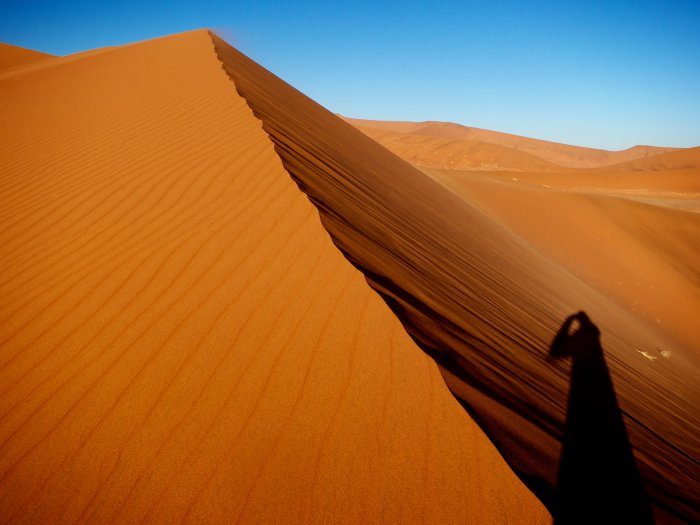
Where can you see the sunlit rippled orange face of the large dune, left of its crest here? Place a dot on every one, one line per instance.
(180, 339)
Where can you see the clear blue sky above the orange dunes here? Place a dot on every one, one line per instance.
(606, 74)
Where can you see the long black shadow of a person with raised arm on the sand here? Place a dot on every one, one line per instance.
(598, 481)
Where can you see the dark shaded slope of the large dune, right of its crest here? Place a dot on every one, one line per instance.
(483, 302)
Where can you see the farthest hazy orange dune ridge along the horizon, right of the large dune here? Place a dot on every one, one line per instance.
(552, 152)
